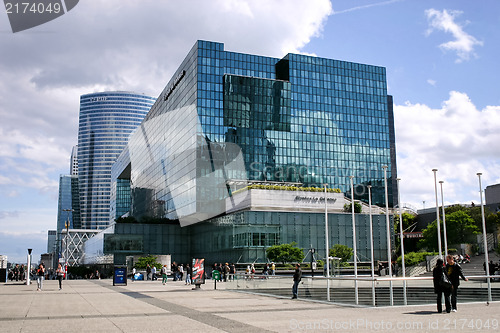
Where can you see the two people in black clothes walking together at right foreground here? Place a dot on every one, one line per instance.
(446, 280)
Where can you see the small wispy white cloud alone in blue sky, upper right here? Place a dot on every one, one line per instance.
(463, 43)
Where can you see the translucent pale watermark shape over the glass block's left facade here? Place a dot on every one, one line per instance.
(183, 177)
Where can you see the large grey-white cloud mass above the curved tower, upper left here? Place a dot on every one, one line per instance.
(120, 45)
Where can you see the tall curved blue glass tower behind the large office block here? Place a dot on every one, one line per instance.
(106, 121)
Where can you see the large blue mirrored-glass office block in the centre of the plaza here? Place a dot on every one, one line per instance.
(226, 120)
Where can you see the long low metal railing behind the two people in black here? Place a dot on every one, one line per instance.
(365, 290)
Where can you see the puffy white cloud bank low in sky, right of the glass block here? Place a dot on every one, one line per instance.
(457, 139)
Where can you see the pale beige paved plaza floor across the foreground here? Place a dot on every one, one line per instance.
(147, 306)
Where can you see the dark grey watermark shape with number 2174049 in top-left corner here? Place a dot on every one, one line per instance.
(26, 14)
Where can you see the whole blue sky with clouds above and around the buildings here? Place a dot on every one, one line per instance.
(440, 57)
